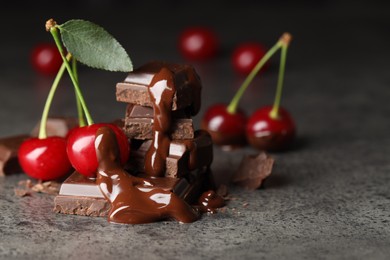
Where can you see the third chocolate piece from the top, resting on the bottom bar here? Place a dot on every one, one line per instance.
(184, 155)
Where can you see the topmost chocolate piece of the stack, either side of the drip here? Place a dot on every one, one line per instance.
(134, 89)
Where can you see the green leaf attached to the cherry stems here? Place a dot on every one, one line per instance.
(95, 47)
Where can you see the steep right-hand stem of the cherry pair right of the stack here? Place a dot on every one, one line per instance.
(274, 114)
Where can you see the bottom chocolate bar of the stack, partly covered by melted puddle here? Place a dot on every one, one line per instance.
(81, 196)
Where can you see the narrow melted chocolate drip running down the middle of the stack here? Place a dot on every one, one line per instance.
(161, 91)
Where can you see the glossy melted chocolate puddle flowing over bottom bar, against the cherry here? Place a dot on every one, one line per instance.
(134, 200)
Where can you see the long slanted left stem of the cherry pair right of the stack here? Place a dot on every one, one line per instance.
(236, 99)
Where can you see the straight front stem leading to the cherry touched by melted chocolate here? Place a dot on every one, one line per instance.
(54, 33)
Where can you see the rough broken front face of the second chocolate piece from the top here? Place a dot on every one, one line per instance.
(142, 128)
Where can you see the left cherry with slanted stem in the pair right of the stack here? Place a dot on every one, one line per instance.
(227, 124)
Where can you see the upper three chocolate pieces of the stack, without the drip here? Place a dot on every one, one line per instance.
(139, 119)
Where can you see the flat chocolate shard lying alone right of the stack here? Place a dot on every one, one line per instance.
(253, 170)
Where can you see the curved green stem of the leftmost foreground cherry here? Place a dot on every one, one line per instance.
(42, 128)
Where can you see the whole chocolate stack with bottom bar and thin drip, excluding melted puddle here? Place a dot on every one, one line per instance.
(187, 156)
